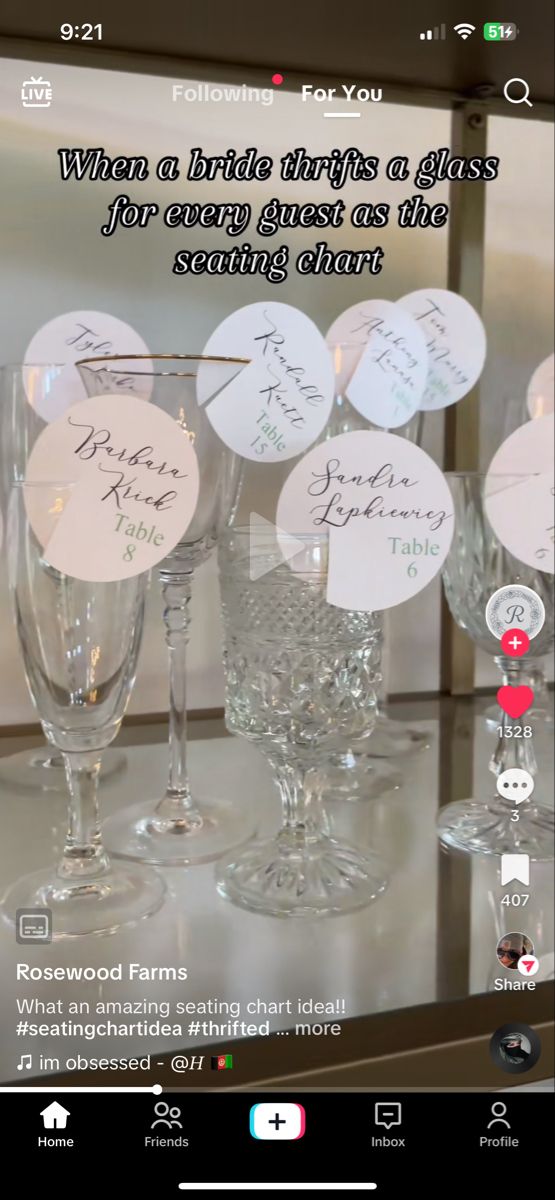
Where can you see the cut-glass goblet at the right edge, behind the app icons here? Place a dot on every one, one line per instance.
(476, 567)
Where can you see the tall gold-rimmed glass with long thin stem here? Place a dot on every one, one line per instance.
(177, 829)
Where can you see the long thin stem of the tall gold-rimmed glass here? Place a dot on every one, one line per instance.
(177, 803)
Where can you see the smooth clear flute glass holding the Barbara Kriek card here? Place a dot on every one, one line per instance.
(80, 644)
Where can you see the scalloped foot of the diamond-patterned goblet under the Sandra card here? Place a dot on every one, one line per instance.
(320, 879)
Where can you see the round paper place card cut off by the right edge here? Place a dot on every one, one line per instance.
(520, 494)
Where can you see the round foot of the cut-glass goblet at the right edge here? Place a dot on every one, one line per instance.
(488, 830)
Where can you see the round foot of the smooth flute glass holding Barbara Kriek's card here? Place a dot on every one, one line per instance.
(123, 896)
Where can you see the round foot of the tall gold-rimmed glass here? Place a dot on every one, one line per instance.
(144, 836)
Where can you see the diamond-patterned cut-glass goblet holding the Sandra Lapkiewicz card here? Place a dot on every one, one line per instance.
(300, 683)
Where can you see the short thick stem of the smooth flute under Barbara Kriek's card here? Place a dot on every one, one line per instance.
(83, 853)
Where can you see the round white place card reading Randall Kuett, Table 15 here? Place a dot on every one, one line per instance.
(281, 404)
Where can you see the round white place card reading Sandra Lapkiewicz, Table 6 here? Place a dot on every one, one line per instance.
(387, 511)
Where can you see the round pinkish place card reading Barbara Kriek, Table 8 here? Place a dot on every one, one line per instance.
(134, 488)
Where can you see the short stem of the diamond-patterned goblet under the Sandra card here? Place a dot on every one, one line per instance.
(301, 790)
